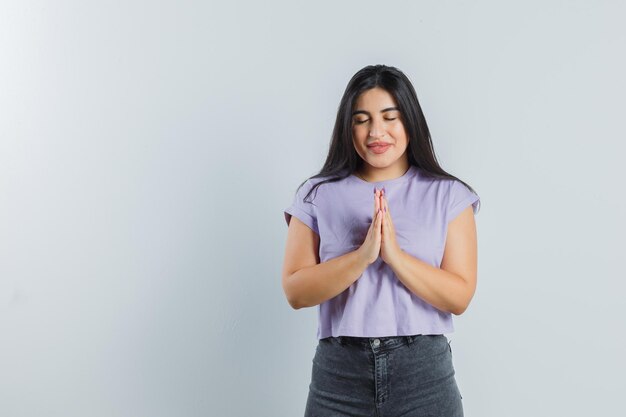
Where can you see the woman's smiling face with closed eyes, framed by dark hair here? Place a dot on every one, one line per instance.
(376, 119)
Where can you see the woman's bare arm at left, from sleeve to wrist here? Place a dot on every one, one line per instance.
(307, 282)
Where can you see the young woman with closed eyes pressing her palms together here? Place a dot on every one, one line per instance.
(383, 241)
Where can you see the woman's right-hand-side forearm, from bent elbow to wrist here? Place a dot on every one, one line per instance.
(442, 289)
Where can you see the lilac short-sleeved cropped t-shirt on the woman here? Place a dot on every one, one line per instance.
(377, 304)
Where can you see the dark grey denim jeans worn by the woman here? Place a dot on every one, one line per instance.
(383, 377)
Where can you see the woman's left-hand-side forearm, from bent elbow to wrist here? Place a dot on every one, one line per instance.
(311, 286)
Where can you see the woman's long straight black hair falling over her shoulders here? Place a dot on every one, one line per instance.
(342, 159)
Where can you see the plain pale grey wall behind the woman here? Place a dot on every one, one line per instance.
(147, 150)
